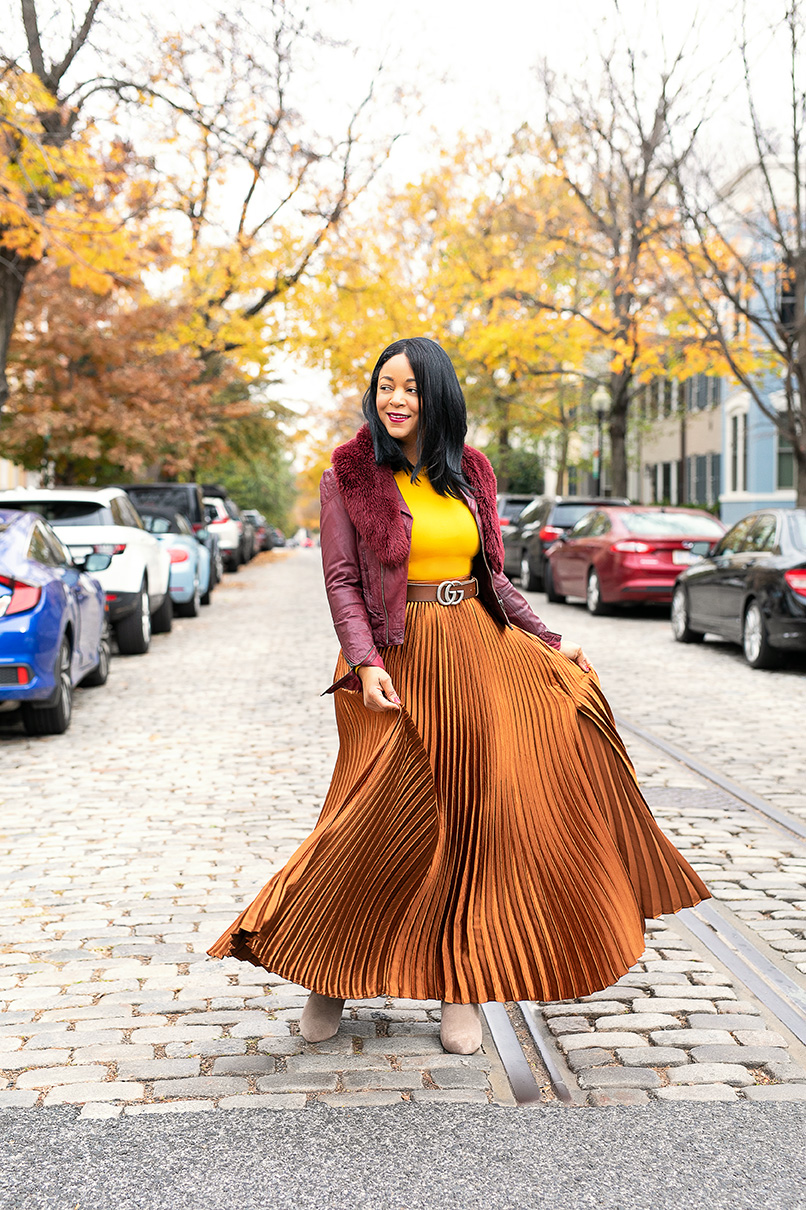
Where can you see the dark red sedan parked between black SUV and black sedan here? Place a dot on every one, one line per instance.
(627, 555)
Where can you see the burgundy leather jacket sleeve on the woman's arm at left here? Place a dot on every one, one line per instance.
(342, 571)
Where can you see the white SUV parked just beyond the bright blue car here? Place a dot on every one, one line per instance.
(105, 521)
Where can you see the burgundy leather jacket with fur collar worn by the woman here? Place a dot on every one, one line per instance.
(366, 538)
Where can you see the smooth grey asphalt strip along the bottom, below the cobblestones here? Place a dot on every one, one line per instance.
(410, 1159)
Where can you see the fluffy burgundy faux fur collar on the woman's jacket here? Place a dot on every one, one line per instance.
(375, 503)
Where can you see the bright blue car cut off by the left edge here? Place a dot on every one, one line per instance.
(54, 632)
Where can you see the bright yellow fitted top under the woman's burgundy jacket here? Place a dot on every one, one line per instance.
(445, 535)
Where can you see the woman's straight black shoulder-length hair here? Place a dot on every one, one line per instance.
(442, 423)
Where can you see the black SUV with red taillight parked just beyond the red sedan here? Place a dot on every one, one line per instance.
(538, 527)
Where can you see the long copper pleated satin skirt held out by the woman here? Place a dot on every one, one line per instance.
(487, 843)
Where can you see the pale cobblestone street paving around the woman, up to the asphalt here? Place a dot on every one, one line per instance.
(130, 844)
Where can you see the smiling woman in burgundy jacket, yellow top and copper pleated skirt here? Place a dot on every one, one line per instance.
(483, 838)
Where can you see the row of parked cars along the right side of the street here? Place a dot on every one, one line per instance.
(747, 585)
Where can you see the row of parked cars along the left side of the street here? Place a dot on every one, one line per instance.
(80, 566)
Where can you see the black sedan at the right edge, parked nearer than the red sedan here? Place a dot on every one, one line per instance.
(750, 589)
